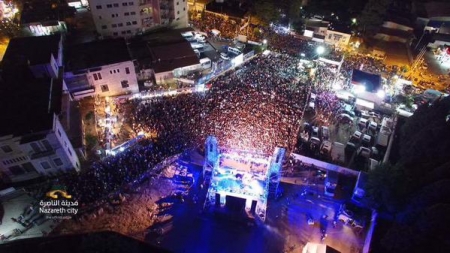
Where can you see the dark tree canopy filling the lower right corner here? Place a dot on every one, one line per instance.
(415, 191)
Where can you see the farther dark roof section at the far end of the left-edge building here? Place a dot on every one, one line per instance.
(31, 50)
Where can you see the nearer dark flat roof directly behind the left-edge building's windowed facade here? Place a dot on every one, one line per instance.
(28, 104)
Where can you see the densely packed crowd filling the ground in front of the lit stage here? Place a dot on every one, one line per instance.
(257, 107)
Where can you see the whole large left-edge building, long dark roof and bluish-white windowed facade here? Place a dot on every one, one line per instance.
(33, 142)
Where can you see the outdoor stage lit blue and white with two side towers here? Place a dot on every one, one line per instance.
(240, 181)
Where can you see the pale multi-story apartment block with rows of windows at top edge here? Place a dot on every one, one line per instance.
(126, 18)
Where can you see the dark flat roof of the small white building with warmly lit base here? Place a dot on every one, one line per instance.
(96, 54)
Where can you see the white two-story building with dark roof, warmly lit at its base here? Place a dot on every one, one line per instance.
(102, 68)
